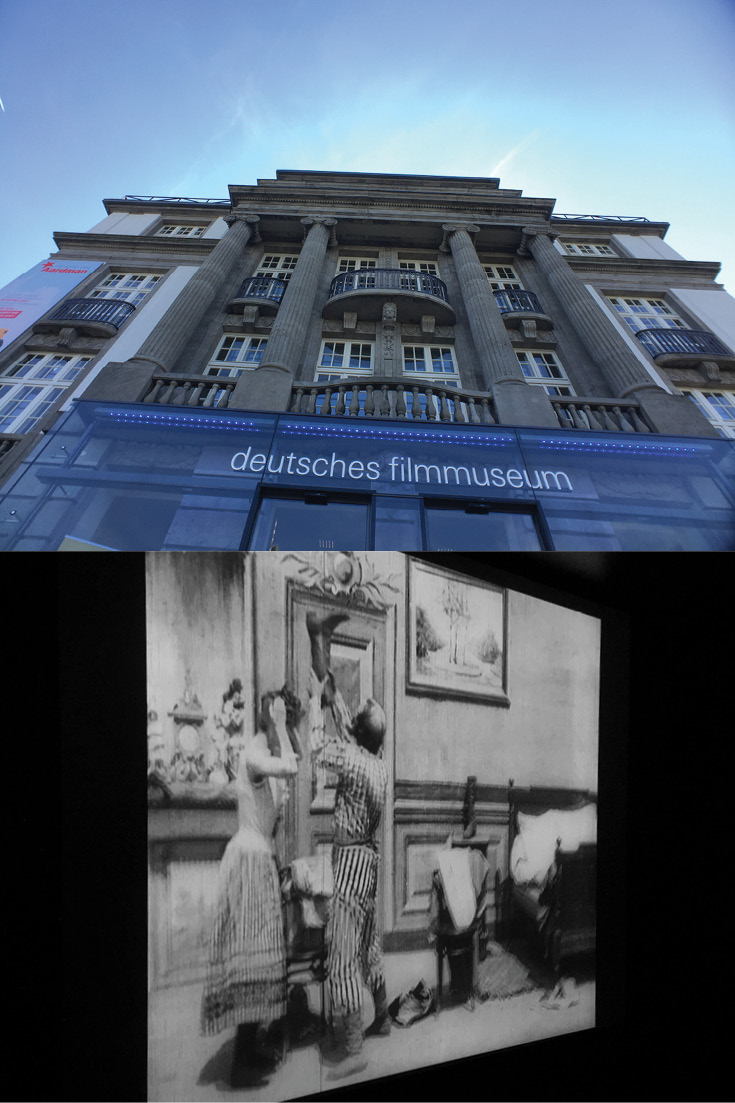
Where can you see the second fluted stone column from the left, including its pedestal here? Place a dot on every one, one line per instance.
(269, 387)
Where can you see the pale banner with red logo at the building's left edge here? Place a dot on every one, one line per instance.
(30, 296)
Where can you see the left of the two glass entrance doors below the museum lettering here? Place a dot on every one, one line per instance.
(312, 523)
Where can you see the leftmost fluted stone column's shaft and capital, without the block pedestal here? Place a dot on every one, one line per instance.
(165, 345)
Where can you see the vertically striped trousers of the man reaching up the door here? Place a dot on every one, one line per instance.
(356, 951)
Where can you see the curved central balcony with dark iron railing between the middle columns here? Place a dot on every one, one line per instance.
(367, 291)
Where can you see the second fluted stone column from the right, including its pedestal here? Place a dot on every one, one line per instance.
(517, 403)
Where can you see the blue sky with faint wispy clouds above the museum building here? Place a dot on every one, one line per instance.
(624, 109)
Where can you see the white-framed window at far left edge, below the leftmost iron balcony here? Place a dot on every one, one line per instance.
(33, 385)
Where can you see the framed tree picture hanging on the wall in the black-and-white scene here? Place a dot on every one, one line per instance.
(456, 636)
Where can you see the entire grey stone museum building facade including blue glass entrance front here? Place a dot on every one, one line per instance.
(372, 361)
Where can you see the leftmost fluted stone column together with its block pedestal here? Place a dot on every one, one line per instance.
(129, 382)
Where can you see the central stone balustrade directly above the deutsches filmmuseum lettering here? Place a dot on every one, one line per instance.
(395, 400)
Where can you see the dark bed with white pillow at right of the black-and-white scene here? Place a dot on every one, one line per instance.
(549, 895)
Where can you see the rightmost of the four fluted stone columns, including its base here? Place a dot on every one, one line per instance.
(627, 377)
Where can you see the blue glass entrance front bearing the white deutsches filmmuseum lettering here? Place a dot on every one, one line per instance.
(134, 477)
